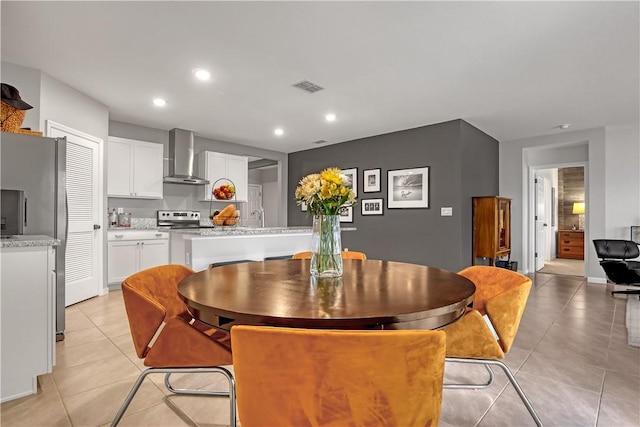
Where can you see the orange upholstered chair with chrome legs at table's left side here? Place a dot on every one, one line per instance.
(167, 337)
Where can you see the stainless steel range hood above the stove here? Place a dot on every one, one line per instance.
(182, 159)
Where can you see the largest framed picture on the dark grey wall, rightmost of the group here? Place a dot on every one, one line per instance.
(408, 188)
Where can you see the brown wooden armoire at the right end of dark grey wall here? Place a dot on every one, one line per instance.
(491, 228)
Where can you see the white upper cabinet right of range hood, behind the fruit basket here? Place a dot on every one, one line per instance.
(213, 166)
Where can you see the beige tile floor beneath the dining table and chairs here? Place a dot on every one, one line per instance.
(570, 356)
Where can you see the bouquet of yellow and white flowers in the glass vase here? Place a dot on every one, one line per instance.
(325, 193)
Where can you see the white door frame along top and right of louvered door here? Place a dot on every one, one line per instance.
(100, 220)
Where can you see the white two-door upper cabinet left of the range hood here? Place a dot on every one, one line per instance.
(134, 169)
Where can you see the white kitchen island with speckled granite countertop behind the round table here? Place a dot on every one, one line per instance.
(197, 249)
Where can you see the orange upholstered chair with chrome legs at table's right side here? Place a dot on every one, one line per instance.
(501, 295)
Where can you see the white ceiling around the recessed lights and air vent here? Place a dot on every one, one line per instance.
(512, 69)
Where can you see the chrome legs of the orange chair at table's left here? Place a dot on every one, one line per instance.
(168, 371)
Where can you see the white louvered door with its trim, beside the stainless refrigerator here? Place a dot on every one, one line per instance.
(84, 239)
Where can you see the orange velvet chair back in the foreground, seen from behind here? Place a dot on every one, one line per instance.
(337, 378)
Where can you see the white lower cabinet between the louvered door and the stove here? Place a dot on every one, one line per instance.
(133, 251)
